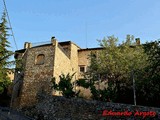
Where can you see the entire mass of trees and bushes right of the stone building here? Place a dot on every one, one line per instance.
(115, 64)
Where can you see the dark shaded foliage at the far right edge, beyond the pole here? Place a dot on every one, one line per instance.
(149, 85)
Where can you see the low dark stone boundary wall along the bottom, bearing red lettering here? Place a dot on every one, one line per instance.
(61, 108)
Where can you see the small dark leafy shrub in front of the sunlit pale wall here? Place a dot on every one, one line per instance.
(65, 86)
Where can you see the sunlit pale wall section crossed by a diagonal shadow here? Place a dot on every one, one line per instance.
(65, 63)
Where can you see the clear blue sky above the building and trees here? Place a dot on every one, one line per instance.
(82, 21)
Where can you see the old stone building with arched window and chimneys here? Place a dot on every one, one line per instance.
(40, 63)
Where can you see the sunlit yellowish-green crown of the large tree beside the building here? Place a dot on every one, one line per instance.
(120, 60)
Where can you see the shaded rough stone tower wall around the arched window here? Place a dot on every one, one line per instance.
(36, 76)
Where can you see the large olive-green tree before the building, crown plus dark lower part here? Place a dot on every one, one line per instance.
(115, 64)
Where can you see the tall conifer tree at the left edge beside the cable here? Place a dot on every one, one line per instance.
(5, 54)
